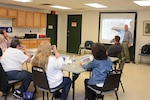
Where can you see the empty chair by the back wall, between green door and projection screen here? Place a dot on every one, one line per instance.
(86, 46)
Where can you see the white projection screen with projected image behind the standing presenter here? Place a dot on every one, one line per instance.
(116, 21)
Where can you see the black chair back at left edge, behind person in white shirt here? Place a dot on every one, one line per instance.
(4, 80)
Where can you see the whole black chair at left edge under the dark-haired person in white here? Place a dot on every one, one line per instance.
(5, 84)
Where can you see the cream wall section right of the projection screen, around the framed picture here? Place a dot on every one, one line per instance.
(142, 15)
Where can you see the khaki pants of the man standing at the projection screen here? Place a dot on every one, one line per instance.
(126, 51)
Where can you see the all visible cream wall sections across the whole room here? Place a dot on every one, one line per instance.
(90, 22)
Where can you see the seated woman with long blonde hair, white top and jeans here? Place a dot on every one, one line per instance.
(52, 65)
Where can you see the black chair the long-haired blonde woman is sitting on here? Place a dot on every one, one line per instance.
(40, 81)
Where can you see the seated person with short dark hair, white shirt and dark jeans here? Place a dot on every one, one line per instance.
(12, 61)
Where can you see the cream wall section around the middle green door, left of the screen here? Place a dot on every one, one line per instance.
(90, 22)
